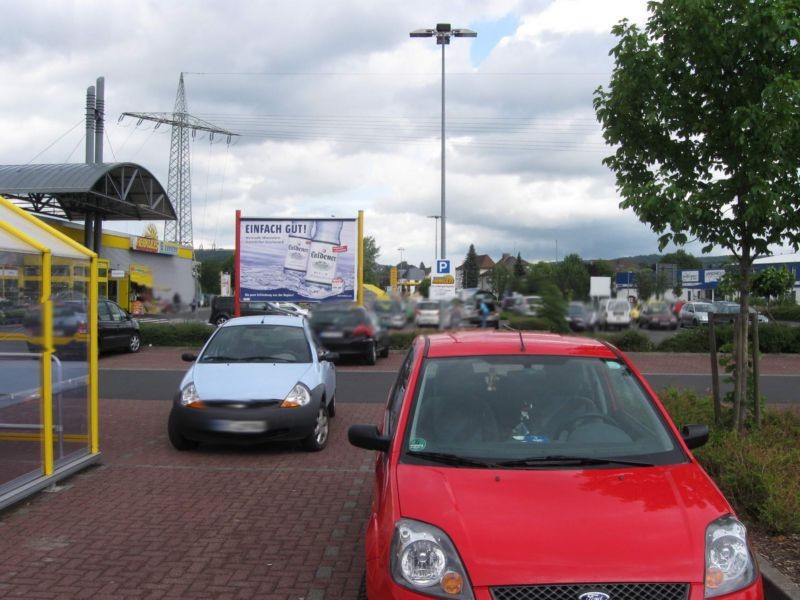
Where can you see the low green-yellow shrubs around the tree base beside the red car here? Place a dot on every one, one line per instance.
(759, 471)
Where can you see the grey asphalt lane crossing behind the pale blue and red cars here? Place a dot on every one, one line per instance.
(373, 386)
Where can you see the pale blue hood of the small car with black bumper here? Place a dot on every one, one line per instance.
(246, 381)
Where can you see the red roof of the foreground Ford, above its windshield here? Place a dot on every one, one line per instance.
(481, 343)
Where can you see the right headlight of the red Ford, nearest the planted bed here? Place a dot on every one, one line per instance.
(729, 565)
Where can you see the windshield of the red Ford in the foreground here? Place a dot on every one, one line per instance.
(506, 408)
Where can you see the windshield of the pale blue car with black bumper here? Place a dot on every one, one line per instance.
(258, 343)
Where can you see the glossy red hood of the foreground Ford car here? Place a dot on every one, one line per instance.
(545, 526)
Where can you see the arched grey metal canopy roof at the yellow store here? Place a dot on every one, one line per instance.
(115, 191)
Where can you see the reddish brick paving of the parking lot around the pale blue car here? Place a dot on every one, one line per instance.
(223, 522)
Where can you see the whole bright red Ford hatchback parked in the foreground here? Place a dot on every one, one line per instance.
(524, 466)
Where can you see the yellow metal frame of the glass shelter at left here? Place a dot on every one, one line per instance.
(47, 330)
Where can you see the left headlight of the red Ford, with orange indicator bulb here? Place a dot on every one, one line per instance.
(425, 560)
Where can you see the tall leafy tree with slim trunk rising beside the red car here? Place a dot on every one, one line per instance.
(702, 109)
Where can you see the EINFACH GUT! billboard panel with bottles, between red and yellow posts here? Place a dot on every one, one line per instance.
(298, 260)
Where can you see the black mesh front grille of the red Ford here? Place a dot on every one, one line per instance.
(614, 591)
